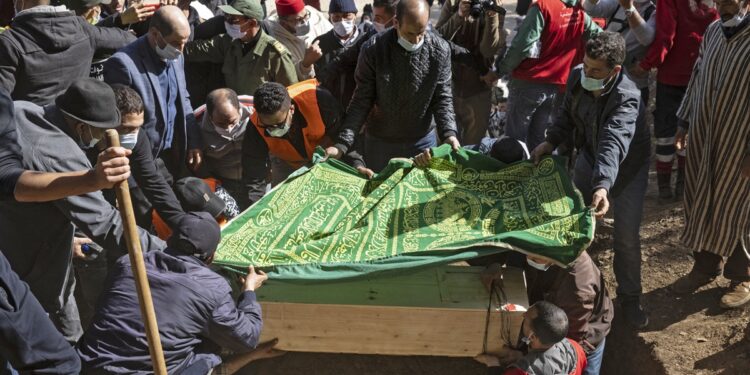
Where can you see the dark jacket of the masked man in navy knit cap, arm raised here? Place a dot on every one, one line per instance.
(340, 85)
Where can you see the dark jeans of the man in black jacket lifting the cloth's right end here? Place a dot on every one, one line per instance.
(628, 212)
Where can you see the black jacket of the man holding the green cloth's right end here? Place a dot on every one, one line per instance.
(619, 143)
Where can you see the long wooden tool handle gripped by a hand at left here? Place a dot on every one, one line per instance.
(139, 268)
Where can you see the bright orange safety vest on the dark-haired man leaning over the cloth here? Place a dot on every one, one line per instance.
(305, 99)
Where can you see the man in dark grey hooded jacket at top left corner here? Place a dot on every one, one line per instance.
(47, 48)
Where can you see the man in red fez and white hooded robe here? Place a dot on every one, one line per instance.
(296, 26)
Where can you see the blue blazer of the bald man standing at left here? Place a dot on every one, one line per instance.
(135, 65)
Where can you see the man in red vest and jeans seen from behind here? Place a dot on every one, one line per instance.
(547, 45)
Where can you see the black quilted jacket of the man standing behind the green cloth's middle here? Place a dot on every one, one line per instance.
(403, 90)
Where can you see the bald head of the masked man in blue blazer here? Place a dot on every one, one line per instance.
(169, 26)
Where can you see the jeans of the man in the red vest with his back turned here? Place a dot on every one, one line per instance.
(531, 108)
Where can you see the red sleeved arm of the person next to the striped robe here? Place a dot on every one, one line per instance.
(666, 31)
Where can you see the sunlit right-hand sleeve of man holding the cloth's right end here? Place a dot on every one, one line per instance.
(614, 140)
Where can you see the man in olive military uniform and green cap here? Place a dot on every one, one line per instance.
(248, 55)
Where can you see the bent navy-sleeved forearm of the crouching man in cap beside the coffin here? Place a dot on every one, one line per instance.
(236, 327)
